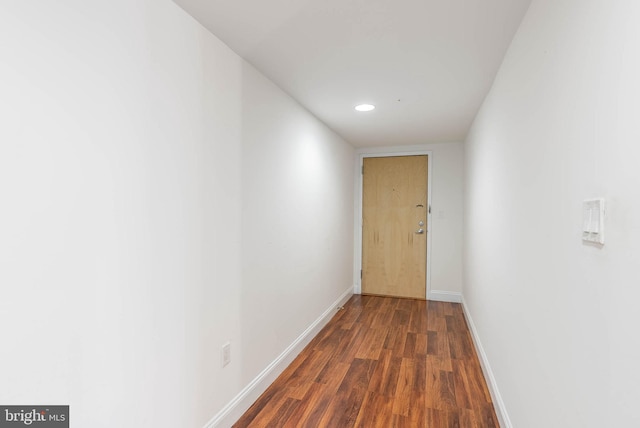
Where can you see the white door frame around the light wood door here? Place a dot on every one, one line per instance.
(384, 153)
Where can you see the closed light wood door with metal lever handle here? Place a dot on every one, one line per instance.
(394, 249)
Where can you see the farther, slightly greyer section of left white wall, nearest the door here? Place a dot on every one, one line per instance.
(297, 221)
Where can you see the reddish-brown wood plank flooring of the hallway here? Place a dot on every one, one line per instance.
(382, 362)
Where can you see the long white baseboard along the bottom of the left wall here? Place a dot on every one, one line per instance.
(241, 402)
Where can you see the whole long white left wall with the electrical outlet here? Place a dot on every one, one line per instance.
(127, 149)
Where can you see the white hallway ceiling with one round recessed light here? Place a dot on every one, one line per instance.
(426, 64)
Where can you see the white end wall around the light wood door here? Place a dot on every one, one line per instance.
(446, 215)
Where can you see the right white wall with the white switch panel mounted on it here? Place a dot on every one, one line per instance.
(557, 317)
